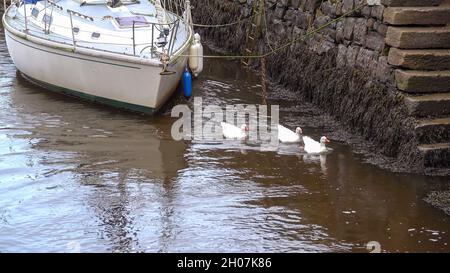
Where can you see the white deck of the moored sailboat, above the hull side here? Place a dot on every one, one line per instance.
(98, 26)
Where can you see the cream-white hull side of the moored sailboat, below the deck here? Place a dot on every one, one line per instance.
(125, 84)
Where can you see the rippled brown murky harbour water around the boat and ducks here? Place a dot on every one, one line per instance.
(77, 176)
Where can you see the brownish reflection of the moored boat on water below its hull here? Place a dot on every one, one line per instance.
(61, 124)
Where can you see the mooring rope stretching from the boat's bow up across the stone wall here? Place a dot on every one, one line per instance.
(300, 37)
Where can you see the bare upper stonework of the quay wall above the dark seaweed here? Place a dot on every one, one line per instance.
(358, 40)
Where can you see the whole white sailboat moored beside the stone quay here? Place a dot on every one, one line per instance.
(126, 53)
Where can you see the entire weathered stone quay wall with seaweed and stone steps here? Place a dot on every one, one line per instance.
(384, 71)
